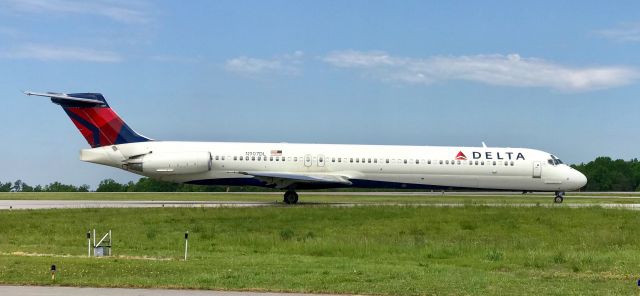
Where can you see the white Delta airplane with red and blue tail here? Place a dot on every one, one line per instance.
(291, 167)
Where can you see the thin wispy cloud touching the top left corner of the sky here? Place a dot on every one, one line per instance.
(124, 12)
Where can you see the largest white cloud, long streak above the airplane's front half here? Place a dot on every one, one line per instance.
(505, 70)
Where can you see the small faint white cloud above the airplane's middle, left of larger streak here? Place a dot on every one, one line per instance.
(284, 64)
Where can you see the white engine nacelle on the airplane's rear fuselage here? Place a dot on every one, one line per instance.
(172, 163)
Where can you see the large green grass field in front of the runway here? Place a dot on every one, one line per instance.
(363, 250)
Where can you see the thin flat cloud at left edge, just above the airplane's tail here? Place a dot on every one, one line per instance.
(53, 53)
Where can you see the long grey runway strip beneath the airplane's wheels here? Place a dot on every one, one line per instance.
(90, 204)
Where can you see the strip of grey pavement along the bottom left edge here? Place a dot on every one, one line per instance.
(71, 291)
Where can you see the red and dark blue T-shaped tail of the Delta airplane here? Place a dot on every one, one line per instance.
(95, 120)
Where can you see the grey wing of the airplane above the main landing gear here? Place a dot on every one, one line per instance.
(285, 179)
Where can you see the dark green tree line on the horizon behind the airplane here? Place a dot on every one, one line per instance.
(603, 174)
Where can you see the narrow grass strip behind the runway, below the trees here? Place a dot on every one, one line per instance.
(313, 197)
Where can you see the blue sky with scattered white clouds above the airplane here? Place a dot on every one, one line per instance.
(560, 76)
